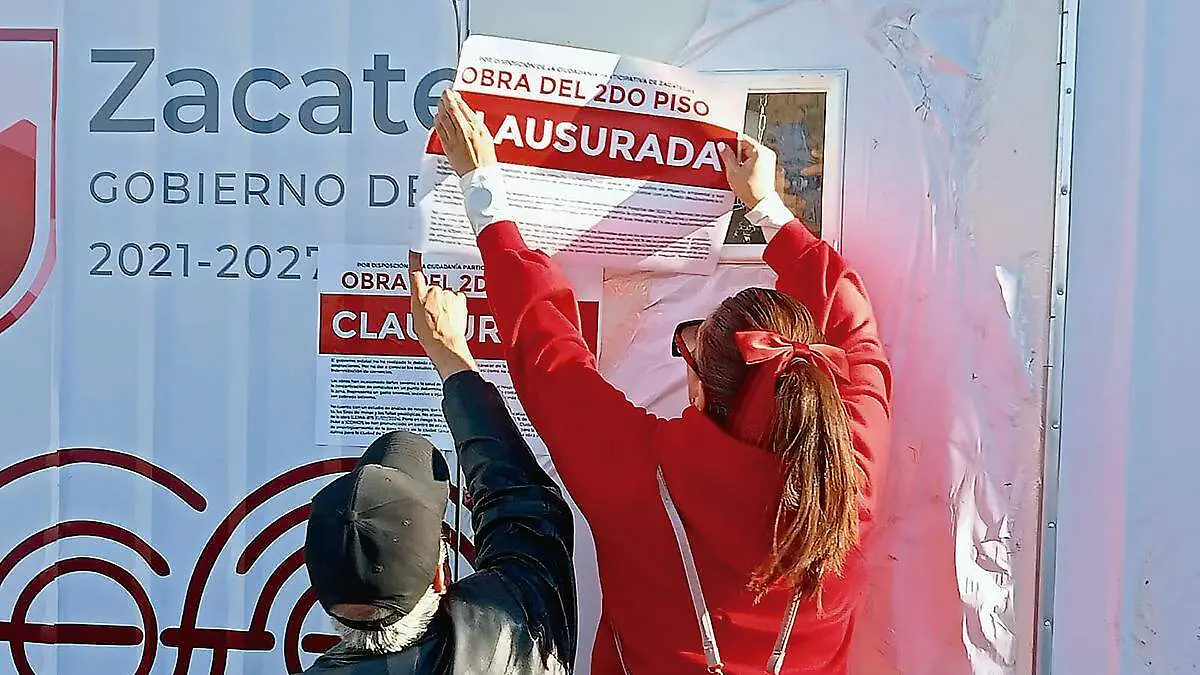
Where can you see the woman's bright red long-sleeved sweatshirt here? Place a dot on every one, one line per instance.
(608, 453)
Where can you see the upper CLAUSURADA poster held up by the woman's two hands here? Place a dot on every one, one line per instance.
(607, 159)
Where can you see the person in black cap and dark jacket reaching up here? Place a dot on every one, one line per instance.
(375, 552)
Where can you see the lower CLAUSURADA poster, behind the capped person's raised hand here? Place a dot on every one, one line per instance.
(373, 374)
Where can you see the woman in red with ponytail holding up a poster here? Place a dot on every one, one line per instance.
(731, 540)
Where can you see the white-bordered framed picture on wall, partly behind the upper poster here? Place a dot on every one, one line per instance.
(802, 116)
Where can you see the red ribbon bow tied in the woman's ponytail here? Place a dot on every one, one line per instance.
(772, 354)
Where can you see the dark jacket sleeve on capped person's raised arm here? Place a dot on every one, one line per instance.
(524, 527)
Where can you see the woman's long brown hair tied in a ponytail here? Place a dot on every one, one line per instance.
(817, 522)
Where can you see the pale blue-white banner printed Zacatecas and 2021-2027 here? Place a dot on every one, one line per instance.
(169, 177)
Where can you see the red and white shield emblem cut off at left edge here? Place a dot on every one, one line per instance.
(29, 62)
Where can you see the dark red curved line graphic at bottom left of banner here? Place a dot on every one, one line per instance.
(189, 636)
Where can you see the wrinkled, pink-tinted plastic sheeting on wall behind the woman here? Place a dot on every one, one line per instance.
(952, 571)
